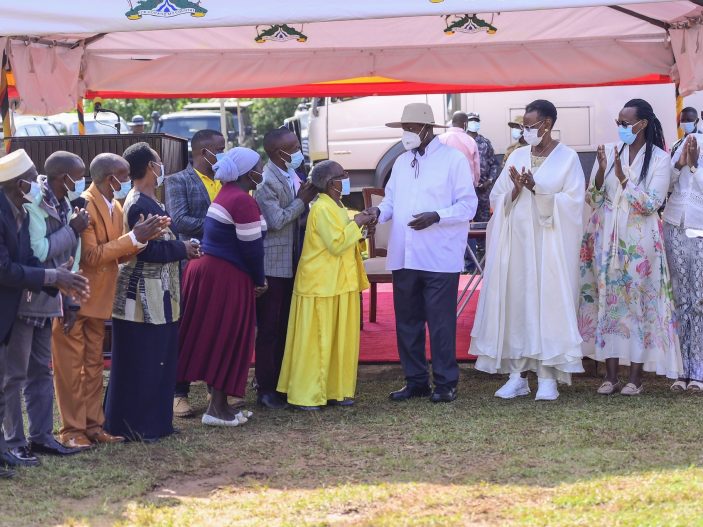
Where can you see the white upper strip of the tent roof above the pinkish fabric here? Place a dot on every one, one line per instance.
(90, 17)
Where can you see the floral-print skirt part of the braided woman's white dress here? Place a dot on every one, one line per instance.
(626, 308)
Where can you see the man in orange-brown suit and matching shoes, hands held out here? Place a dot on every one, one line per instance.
(77, 350)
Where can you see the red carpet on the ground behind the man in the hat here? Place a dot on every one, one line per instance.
(378, 342)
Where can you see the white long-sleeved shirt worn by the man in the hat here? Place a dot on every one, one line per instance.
(440, 181)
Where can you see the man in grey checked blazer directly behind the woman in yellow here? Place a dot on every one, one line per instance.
(283, 200)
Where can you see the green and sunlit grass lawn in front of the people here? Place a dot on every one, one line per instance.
(582, 460)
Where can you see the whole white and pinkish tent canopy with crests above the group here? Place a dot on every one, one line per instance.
(176, 47)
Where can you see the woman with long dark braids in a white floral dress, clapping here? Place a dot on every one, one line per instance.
(626, 305)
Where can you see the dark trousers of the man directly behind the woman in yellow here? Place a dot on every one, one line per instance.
(272, 311)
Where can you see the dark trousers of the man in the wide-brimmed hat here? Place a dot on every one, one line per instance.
(424, 298)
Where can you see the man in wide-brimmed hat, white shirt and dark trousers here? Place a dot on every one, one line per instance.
(430, 197)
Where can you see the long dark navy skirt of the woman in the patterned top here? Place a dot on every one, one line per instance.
(139, 399)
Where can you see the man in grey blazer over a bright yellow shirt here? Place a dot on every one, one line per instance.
(188, 196)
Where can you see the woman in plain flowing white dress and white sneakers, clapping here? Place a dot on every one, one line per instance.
(526, 318)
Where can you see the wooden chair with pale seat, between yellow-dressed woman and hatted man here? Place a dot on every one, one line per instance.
(378, 250)
